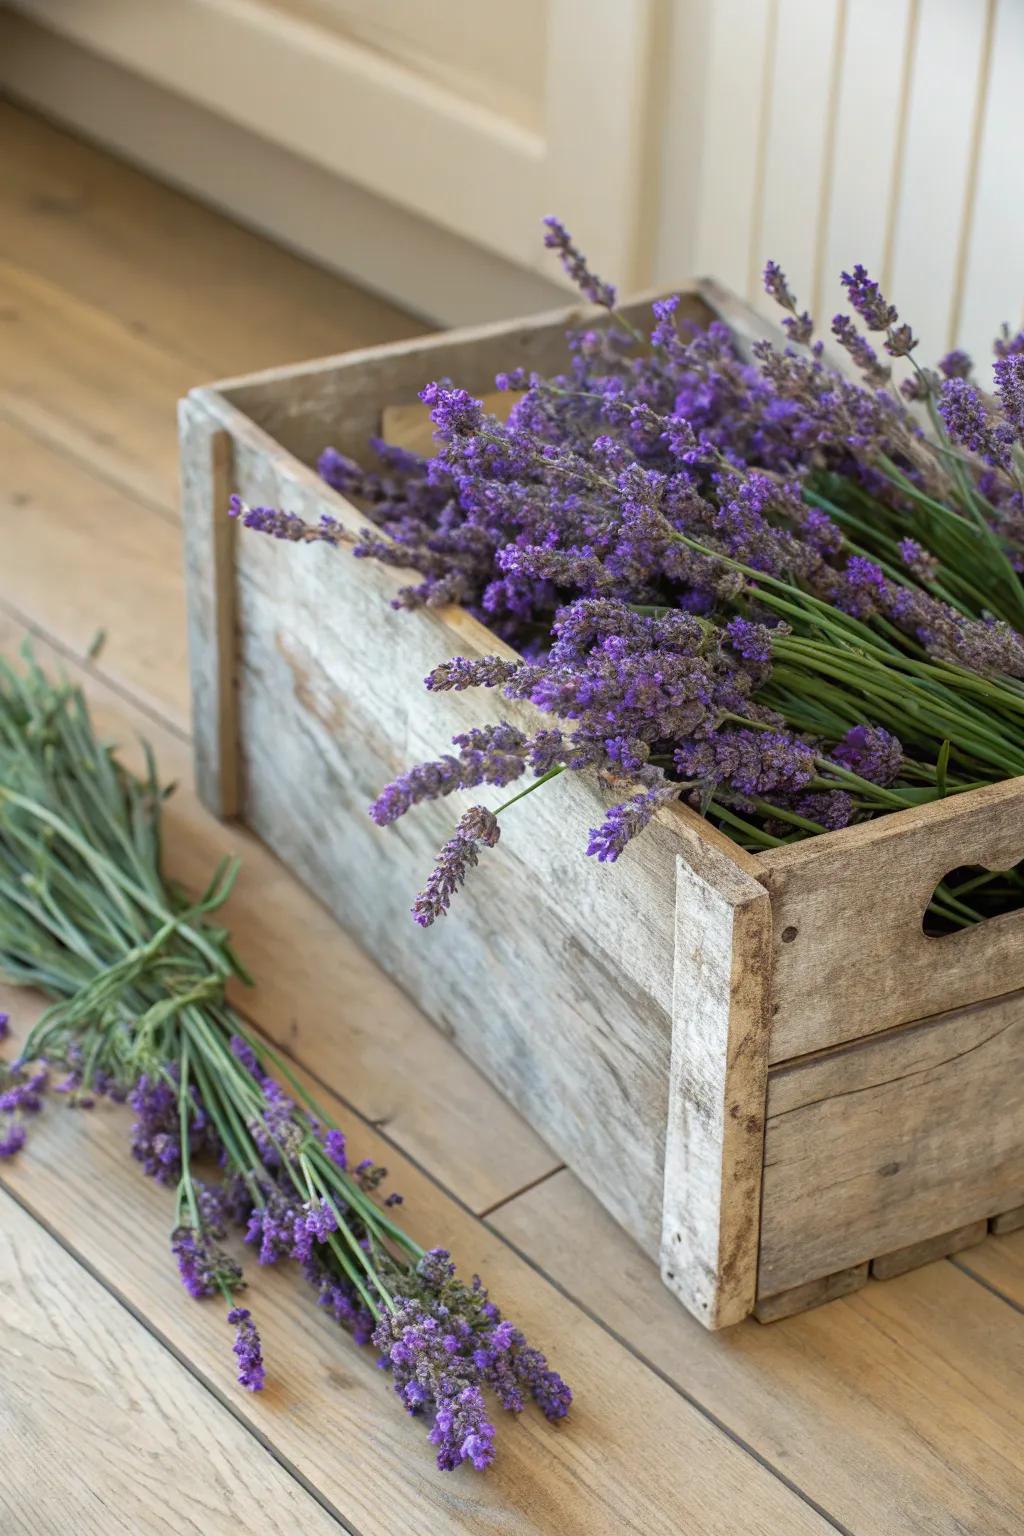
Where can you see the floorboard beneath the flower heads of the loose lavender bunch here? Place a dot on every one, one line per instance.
(329, 1411)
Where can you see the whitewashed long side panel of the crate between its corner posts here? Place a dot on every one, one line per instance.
(552, 972)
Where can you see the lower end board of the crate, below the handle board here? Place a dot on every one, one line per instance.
(891, 1140)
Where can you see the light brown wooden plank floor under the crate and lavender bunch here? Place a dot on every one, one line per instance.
(896, 1411)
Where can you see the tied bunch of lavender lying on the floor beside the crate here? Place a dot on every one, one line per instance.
(139, 972)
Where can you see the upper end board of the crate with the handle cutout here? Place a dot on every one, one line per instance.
(854, 959)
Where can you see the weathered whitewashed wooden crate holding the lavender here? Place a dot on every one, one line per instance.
(761, 1065)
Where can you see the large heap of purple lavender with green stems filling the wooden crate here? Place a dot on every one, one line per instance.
(784, 592)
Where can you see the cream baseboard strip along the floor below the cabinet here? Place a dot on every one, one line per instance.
(326, 219)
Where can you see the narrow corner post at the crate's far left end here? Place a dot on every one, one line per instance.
(210, 558)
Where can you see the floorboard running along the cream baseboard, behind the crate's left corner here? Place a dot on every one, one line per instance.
(176, 273)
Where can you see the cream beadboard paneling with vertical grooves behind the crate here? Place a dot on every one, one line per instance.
(877, 131)
